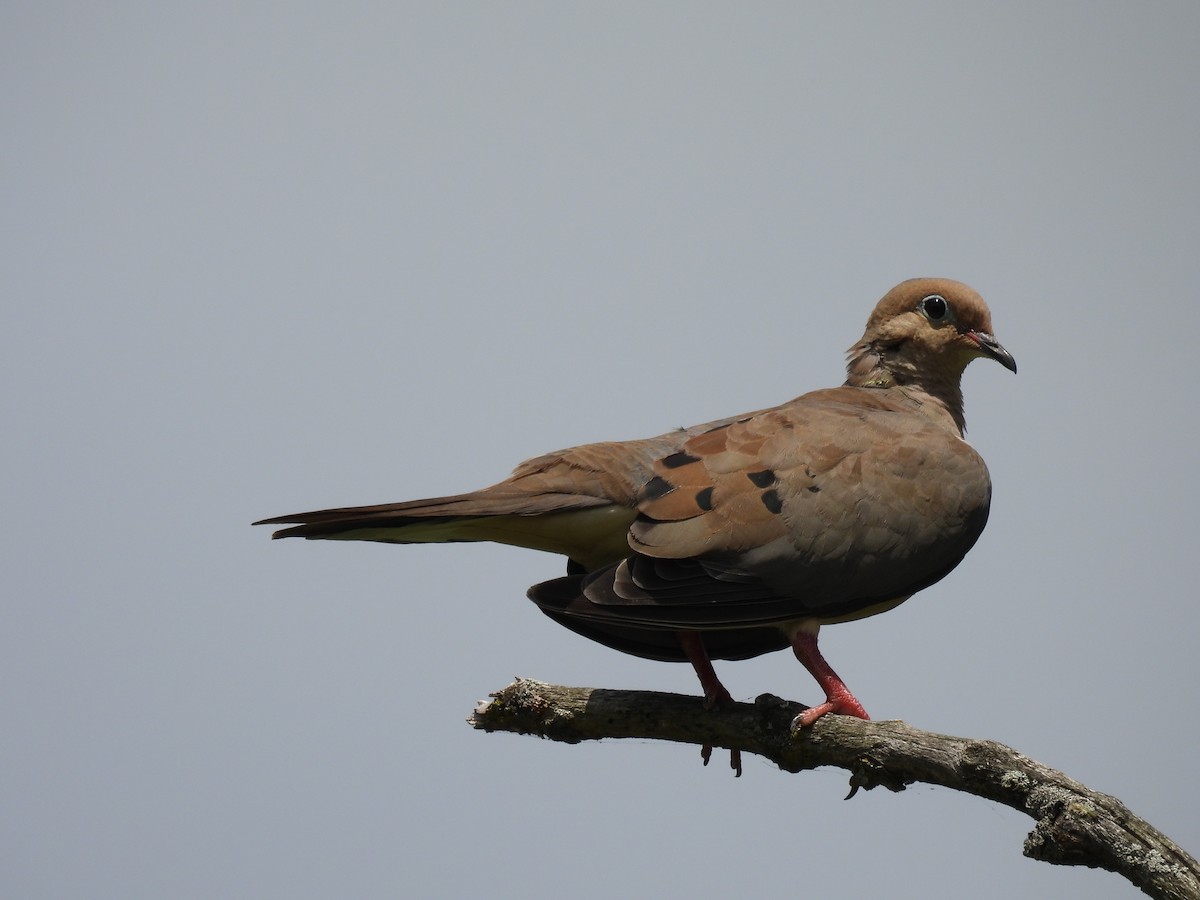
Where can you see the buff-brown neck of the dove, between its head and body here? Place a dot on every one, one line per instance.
(926, 381)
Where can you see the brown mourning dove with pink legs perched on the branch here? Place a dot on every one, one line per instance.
(745, 536)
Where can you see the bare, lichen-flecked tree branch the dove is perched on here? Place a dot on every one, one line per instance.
(1076, 826)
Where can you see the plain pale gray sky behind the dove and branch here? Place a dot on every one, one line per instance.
(261, 259)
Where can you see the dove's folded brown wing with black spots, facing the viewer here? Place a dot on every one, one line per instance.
(838, 505)
